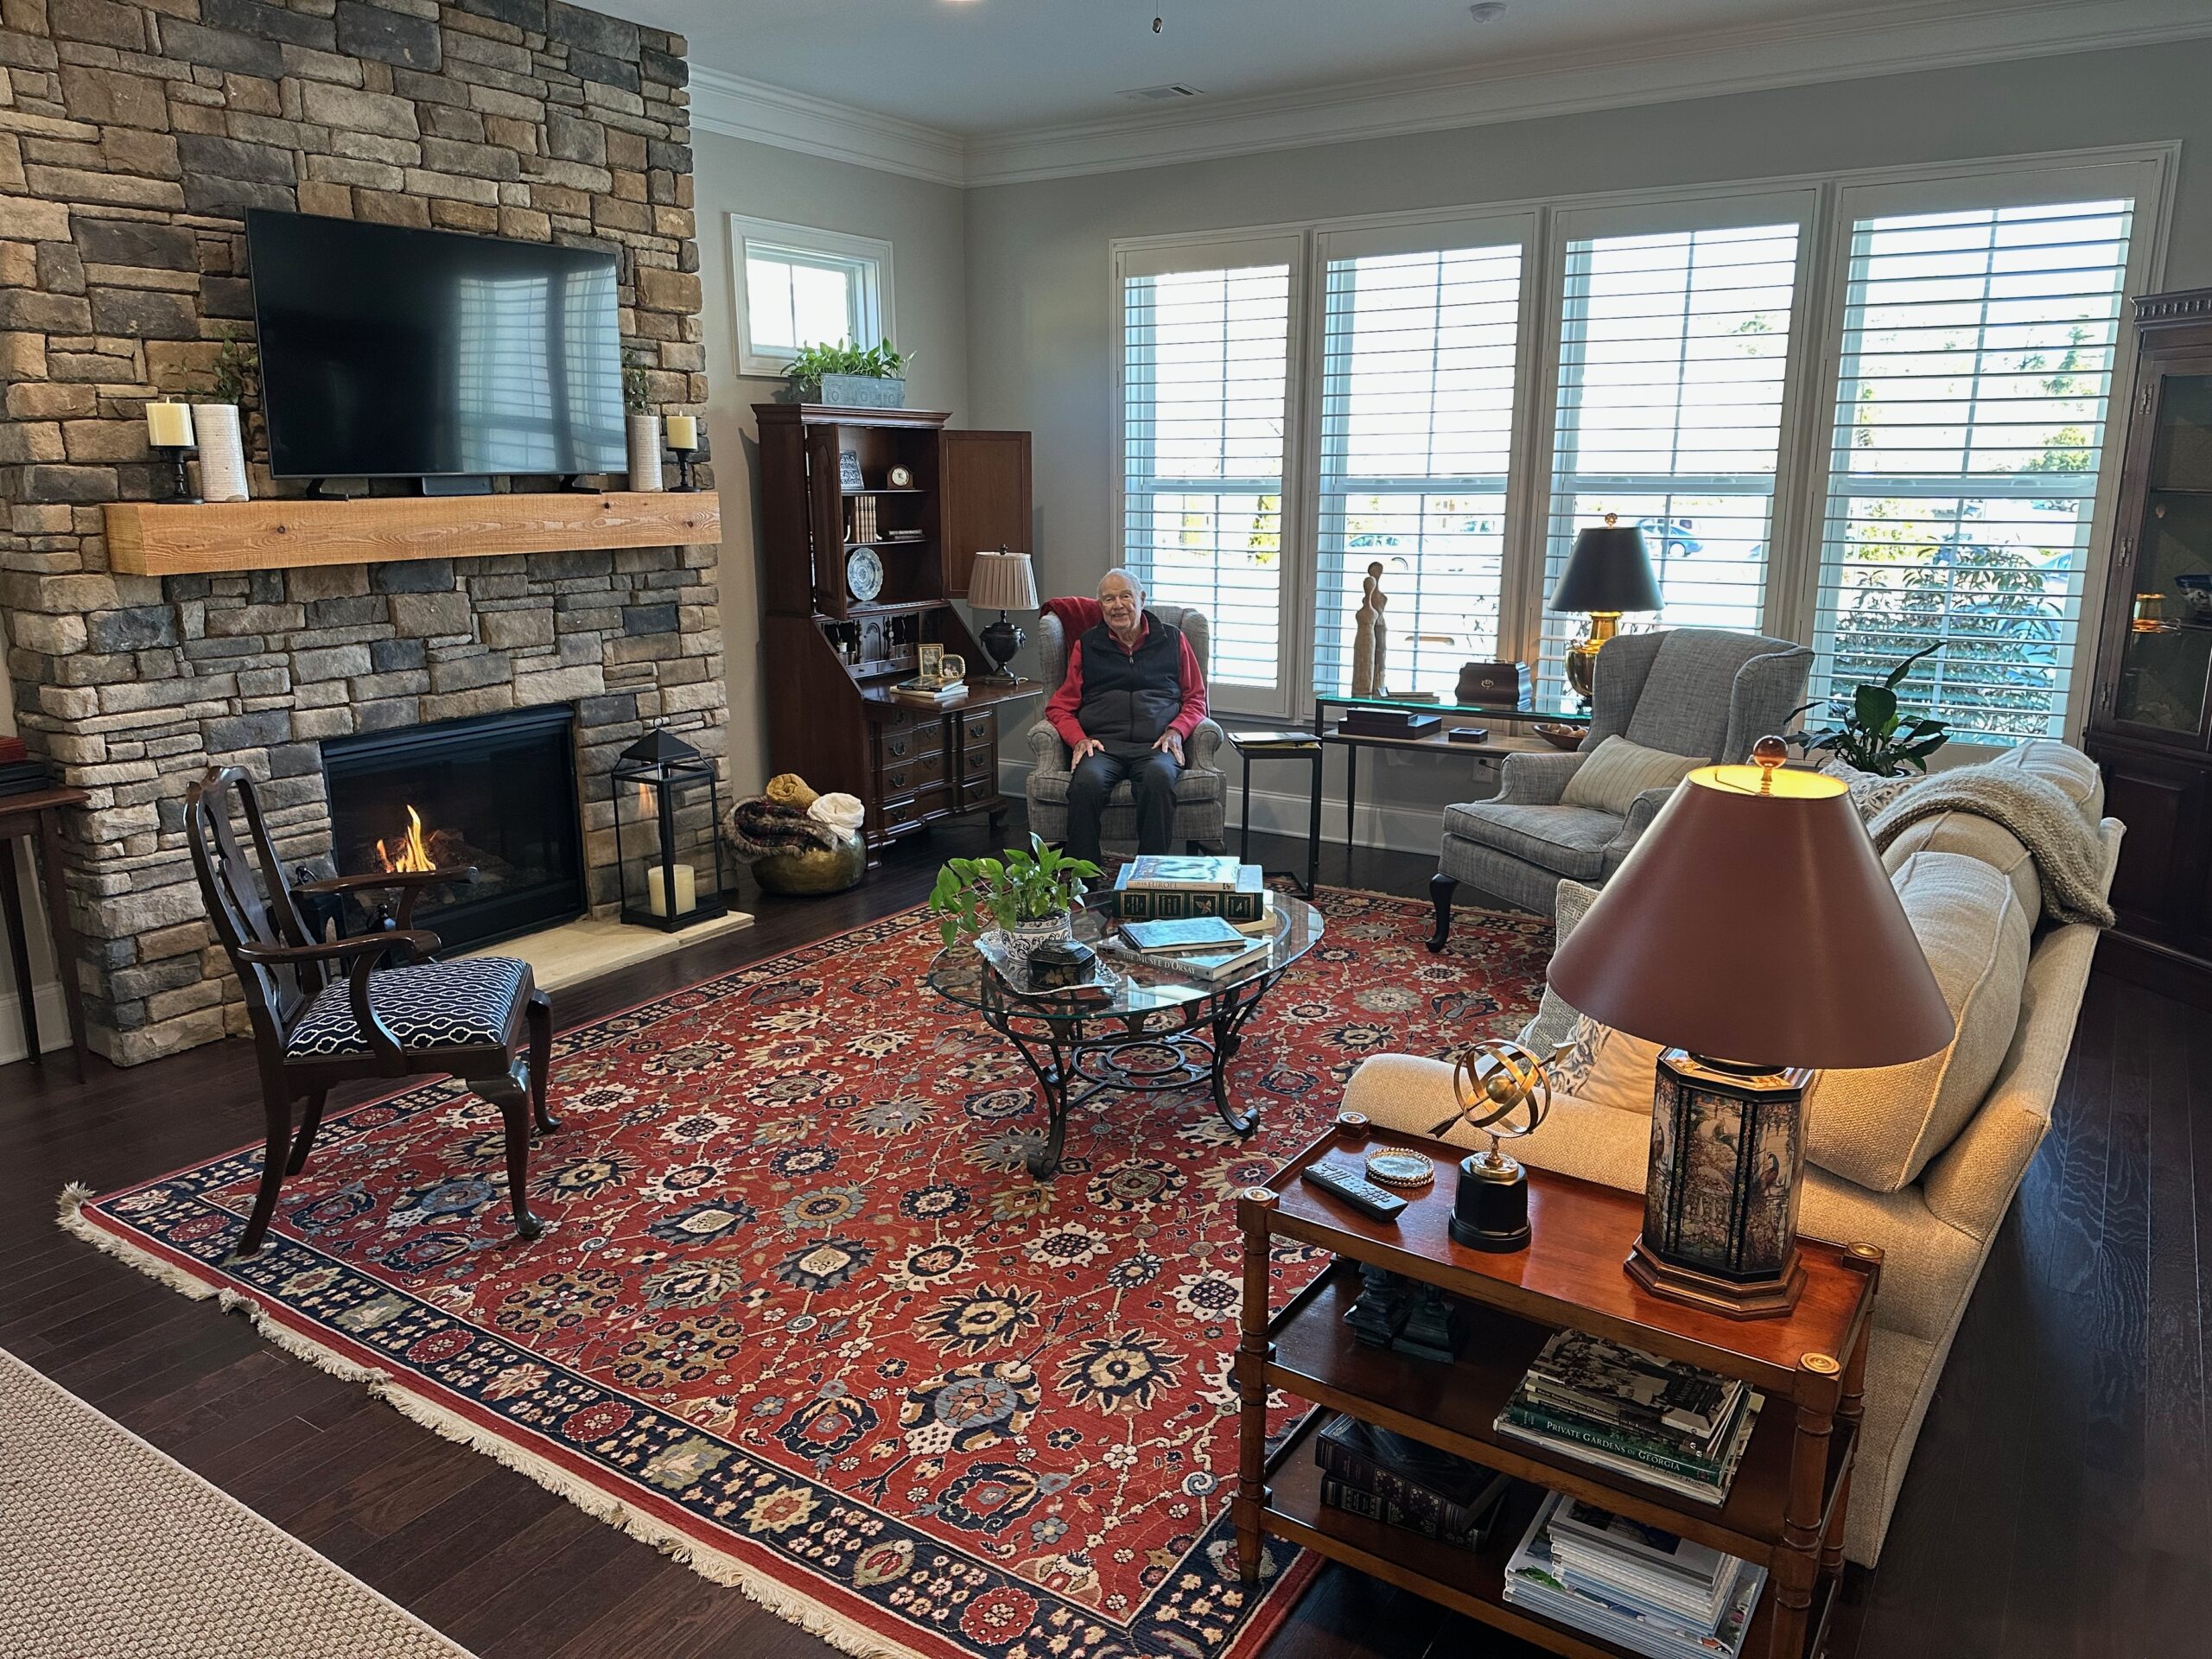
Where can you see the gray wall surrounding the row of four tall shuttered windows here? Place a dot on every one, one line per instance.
(1041, 309)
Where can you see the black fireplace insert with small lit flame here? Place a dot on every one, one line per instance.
(494, 791)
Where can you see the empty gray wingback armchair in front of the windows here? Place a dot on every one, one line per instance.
(1687, 691)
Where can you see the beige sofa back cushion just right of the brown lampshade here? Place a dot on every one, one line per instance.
(1884, 1125)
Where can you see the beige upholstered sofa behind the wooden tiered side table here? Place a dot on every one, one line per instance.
(1934, 1229)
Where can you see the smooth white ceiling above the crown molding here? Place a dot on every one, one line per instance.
(977, 67)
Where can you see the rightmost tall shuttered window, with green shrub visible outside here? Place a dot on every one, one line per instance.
(1970, 426)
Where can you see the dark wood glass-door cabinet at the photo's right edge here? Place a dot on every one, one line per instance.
(2151, 720)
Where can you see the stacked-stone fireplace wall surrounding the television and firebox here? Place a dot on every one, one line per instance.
(134, 134)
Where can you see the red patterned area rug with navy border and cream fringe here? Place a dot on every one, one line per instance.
(802, 1315)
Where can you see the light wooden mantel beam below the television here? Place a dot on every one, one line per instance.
(282, 532)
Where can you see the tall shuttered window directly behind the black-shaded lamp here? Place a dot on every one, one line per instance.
(1673, 355)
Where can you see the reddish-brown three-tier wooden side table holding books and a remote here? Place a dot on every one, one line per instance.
(1786, 1507)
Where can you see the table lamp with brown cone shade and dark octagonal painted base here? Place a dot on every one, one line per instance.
(1755, 930)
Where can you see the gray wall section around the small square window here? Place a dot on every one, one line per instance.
(924, 222)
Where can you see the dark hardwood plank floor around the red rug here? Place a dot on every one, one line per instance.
(2058, 1503)
